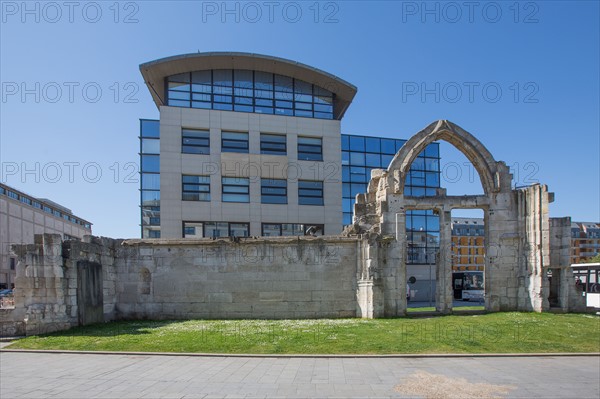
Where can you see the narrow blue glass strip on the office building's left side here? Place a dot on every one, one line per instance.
(150, 178)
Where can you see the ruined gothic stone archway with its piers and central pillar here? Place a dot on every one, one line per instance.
(516, 238)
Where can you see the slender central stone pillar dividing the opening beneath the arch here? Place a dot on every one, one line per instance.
(443, 289)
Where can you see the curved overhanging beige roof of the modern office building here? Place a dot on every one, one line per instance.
(155, 72)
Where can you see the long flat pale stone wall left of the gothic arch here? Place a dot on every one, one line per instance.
(251, 278)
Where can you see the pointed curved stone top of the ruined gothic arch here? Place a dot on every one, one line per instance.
(482, 160)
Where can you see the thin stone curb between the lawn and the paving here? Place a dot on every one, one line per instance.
(325, 356)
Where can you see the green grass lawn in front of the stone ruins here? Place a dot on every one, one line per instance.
(489, 333)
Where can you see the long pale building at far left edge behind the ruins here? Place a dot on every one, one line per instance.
(22, 216)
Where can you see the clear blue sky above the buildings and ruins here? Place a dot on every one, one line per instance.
(523, 77)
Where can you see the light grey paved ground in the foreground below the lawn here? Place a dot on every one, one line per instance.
(47, 375)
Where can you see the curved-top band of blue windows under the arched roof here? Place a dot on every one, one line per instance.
(249, 91)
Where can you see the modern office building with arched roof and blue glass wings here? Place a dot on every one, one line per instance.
(251, 145)
